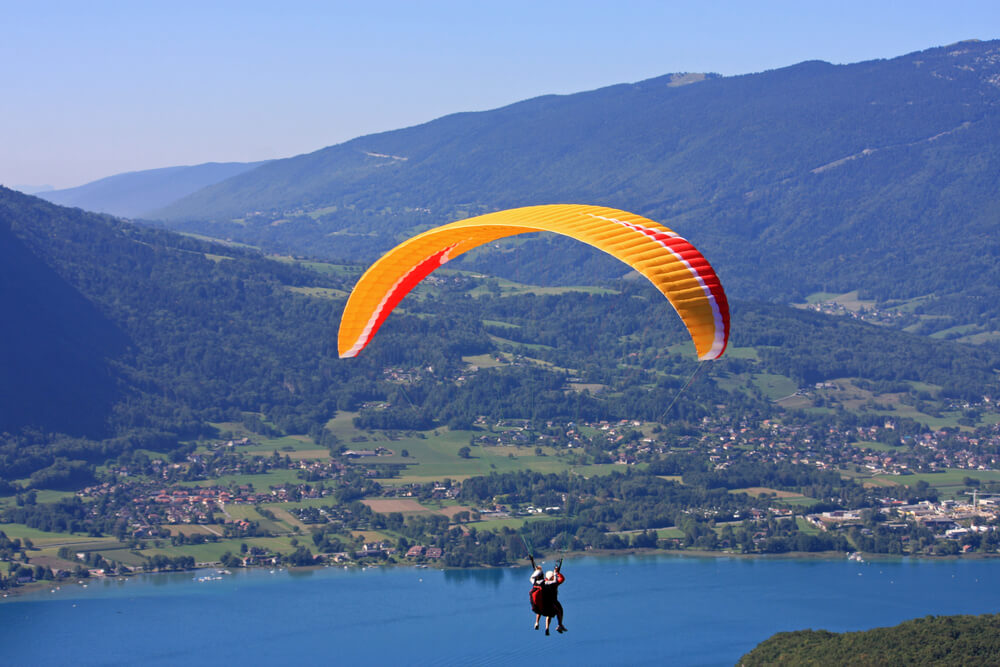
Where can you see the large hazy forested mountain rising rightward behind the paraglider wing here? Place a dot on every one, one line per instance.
(878, 176)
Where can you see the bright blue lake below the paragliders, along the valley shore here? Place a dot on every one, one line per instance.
(619, 610)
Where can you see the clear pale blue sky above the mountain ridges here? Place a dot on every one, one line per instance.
(92, 89)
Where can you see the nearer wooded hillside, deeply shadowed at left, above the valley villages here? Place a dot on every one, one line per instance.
(140, 338)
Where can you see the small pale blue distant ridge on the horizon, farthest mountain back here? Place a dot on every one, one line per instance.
(137, 193)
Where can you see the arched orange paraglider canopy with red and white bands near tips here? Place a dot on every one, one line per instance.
(670, 262)
